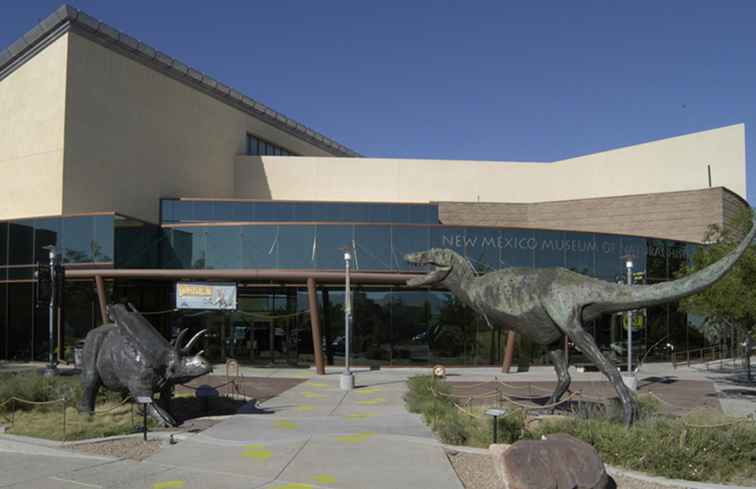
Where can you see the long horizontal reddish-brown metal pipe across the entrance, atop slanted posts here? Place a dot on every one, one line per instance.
(260, 275)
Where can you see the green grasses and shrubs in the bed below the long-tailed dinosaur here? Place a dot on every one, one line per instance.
(700, 447)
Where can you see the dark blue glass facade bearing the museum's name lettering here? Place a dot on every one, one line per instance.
(393, 325)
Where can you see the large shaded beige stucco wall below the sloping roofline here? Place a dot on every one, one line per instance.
(134, 134)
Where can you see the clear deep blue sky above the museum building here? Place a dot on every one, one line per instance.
(524, 81)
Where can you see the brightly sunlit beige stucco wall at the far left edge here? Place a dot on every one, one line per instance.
(32, 106)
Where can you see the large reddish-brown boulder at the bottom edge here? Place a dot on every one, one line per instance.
(559, 461)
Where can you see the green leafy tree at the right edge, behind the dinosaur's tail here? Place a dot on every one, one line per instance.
(730, 303)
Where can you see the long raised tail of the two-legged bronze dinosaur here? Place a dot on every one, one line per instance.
(625, 297)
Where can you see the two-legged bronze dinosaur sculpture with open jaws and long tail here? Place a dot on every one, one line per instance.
(546, 304)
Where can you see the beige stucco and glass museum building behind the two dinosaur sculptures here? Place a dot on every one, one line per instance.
(145, 173)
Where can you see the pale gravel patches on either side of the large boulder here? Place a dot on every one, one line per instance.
(476, 471)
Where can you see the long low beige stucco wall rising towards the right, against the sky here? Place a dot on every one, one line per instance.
(667, 165)
